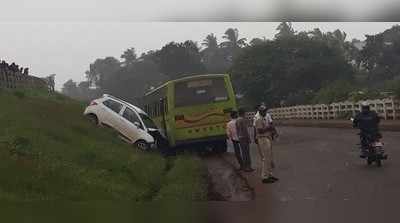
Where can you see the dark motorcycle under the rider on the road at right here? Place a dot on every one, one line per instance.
(374, 148)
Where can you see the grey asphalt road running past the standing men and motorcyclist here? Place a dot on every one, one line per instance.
(322, 179)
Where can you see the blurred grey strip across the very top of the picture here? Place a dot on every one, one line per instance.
(222, 10)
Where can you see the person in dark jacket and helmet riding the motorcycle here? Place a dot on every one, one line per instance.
(368, 123)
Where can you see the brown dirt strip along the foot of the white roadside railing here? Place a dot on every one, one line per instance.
(385, 125)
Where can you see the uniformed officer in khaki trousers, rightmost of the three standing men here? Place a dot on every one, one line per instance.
(265, 132)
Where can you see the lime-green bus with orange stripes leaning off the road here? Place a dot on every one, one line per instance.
(193, 110)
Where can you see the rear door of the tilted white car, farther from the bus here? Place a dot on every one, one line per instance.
(112, 116)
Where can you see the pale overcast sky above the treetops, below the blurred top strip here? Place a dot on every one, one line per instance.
(67, 48)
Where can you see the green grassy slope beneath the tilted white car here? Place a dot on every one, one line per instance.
(50, 151)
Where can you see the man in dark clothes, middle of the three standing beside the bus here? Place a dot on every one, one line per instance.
(242, 127)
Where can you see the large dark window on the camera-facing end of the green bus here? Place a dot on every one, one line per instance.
(200, 91)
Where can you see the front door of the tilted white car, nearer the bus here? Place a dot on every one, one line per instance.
(132, 126)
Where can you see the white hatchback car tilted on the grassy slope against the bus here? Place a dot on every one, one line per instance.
(134, 125)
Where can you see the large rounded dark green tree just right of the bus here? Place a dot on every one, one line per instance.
(287, 71)
